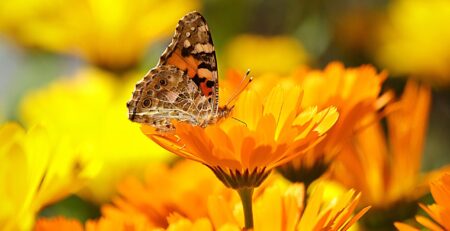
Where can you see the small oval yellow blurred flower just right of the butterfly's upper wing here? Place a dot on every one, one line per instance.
(277, 54)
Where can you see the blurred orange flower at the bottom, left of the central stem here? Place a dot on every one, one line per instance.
(153, 203)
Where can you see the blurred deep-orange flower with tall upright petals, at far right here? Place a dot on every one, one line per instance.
(387, 172)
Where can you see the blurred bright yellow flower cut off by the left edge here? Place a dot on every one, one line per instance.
(36, 168)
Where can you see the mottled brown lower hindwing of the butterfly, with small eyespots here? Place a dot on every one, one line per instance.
(167, 93)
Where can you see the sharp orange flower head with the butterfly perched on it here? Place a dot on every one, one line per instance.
(272, 131)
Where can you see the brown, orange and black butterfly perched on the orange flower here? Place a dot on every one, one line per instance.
(184, 85)
